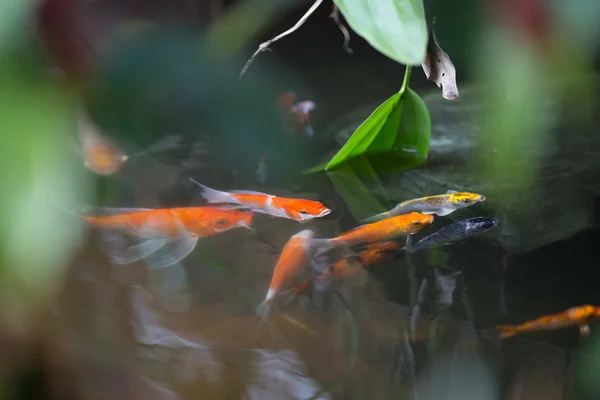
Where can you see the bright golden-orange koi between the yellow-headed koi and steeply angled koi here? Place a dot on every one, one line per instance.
(381, 231)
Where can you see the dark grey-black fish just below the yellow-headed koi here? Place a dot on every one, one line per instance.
(454, 233)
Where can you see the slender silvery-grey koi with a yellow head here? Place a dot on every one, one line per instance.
(441, 204)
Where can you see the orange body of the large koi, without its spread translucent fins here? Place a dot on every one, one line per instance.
(169, 222)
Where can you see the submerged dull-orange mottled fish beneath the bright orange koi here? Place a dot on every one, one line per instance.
(348, 266)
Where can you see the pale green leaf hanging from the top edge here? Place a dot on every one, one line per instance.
(396, 28)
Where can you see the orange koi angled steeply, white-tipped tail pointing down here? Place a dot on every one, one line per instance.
(292, 258)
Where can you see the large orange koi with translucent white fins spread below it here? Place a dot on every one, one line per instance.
(174, 229)
